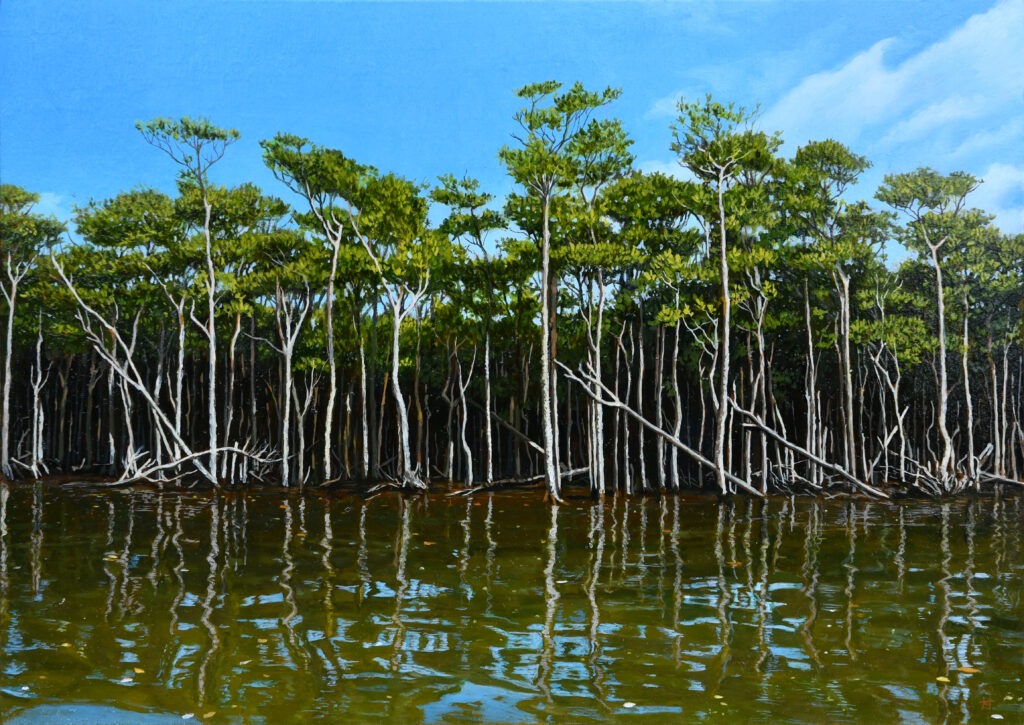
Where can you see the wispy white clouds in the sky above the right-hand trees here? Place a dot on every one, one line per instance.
(955, 105)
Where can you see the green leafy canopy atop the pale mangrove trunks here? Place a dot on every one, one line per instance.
(627, 251)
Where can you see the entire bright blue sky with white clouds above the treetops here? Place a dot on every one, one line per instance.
(429, 89)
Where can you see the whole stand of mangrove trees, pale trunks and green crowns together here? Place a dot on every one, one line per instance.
(736, 327)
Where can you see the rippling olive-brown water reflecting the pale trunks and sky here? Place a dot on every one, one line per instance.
(136, 607)
